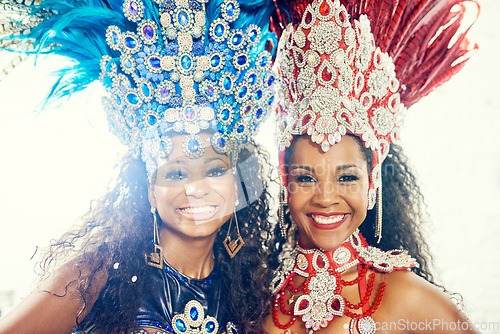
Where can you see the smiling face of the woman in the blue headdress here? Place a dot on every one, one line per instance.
(194, 197)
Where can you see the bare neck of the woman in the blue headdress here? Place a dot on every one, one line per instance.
(191, 256)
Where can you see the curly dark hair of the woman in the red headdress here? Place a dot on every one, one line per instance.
(403, 210)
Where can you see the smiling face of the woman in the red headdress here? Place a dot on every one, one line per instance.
(328, 191)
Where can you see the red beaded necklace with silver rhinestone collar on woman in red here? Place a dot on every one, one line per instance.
(321, 301)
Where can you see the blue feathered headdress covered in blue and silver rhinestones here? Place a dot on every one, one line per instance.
(170, 67)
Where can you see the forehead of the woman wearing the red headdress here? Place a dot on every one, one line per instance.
(347, 151)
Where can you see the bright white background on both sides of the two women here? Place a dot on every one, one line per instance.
(55, 161)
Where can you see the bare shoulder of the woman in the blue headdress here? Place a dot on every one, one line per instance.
(54, 305)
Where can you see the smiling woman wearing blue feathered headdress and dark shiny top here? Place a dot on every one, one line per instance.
(176, 246)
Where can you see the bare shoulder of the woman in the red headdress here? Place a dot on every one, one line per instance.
(413, 300)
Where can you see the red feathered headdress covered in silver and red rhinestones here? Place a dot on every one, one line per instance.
(338, 77)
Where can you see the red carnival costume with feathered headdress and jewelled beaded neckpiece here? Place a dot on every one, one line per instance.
(354, 67)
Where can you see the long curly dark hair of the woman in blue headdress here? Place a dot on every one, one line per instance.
(119, 228)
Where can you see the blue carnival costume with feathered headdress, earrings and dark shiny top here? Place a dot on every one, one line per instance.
(169, 67)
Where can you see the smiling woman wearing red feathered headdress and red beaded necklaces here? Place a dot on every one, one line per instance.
(349, 70)
